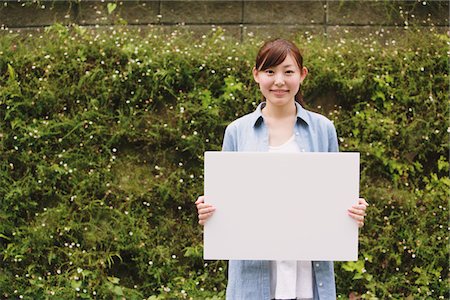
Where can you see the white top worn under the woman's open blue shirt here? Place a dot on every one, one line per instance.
(290, 279)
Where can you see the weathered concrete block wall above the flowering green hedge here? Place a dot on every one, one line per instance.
(239, 18)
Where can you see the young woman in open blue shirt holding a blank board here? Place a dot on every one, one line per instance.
(281, 124)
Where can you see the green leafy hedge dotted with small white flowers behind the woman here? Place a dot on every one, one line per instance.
(102, 139)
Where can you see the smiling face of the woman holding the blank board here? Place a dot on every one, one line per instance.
(280, 84)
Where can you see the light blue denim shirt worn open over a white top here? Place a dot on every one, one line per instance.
(250, 279)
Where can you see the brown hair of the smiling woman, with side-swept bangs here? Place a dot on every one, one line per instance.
(273, 53)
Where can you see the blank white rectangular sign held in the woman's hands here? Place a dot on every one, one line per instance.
(281, 206)
